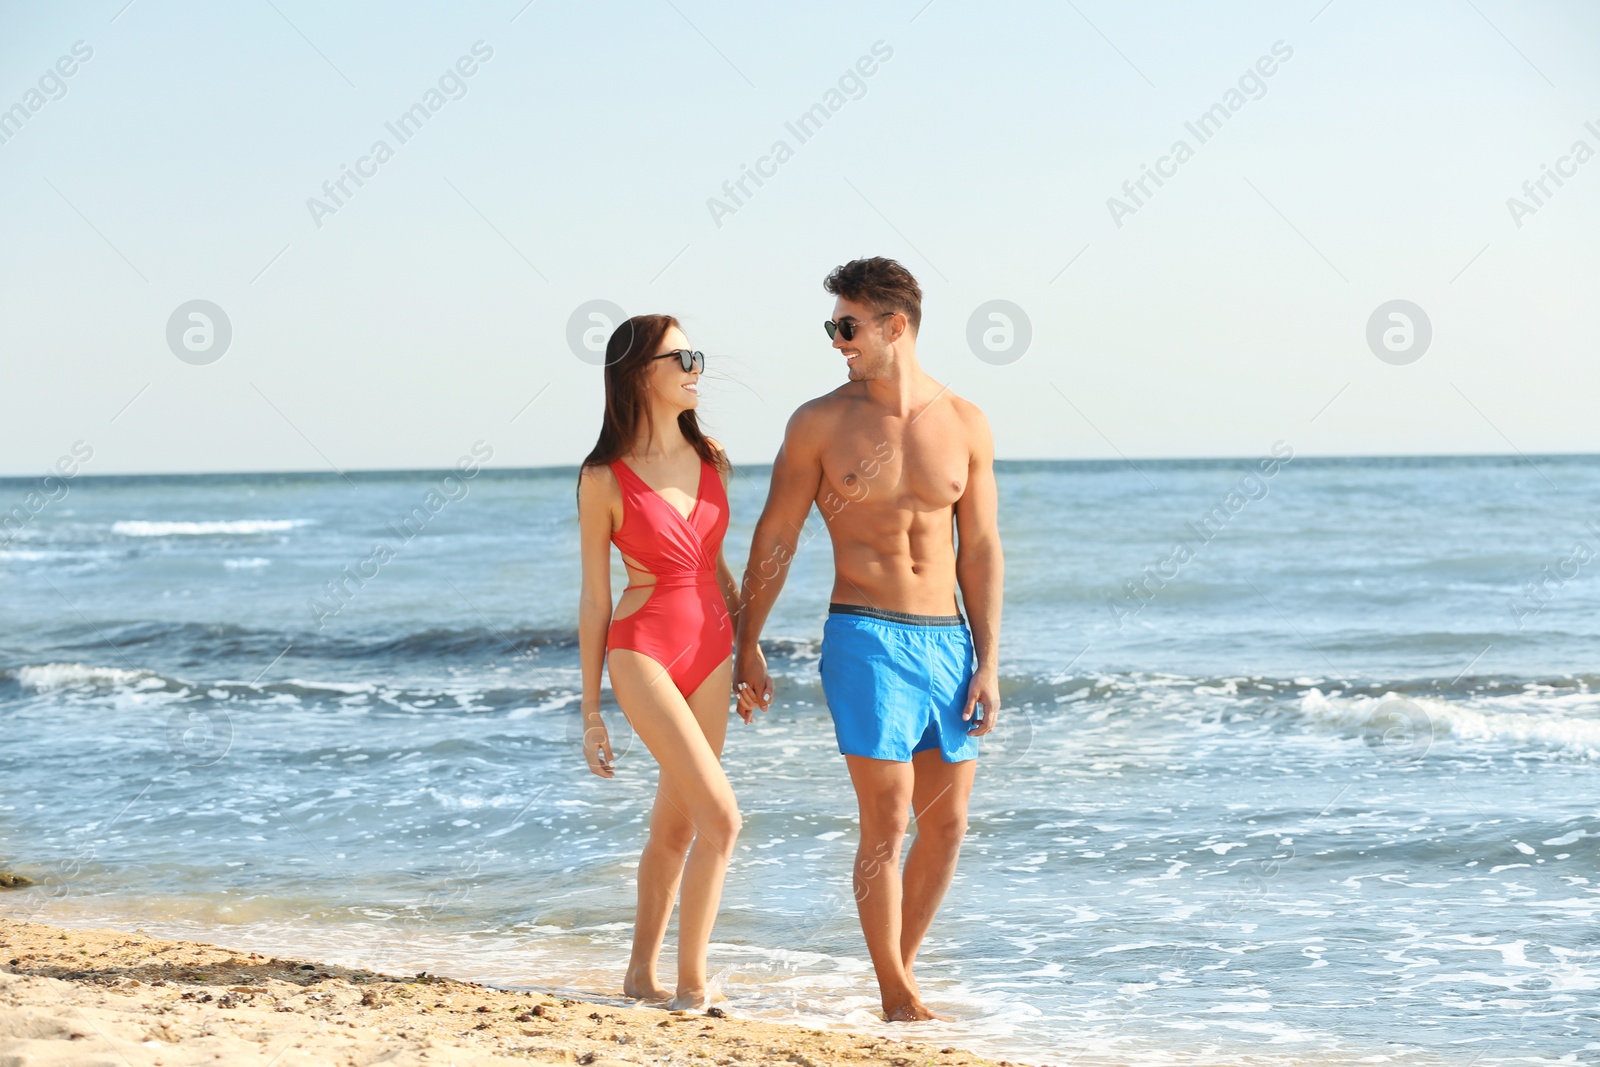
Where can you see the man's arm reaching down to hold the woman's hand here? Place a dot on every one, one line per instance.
(798, 474)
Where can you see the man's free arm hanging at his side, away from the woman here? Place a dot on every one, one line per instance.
(980, 569)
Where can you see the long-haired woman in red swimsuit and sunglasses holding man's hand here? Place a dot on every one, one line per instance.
(655, 486)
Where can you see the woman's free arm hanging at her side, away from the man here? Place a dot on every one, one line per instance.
(596, 492)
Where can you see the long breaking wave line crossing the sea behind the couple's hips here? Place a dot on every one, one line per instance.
(527, 673)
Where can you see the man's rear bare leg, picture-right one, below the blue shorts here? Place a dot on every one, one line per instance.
(940, 796)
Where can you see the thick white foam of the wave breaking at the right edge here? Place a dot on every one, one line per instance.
(1439, 719)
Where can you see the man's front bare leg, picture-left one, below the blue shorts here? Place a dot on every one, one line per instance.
(884, 789)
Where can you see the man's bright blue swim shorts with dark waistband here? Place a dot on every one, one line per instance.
(897, 684)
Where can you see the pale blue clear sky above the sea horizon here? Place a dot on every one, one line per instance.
(1228, 313)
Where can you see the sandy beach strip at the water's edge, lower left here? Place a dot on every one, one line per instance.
(103, 997)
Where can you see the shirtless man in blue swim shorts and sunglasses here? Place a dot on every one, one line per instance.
(892, 460)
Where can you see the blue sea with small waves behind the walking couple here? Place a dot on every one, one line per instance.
(1287, 767)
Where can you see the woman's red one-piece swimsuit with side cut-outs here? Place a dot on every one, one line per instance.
(684, 625)
